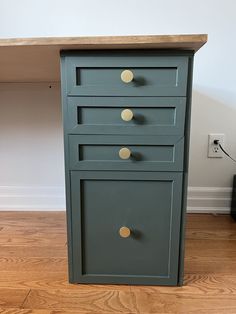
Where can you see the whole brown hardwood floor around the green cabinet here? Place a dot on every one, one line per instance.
(33, 271)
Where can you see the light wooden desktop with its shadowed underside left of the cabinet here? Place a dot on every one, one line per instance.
(37, 59)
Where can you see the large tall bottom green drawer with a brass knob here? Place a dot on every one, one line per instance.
(106, 207)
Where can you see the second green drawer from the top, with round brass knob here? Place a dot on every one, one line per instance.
(103, 115)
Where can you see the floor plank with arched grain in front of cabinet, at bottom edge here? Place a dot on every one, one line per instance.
(98, 301)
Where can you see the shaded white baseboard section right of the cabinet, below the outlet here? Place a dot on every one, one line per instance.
(209, 200)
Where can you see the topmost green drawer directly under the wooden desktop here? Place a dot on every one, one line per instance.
(101, 74)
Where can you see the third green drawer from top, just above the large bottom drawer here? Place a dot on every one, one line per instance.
(139, 153)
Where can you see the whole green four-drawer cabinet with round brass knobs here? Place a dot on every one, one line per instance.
(126, 134)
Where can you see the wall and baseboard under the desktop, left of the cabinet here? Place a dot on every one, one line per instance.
(31, 146)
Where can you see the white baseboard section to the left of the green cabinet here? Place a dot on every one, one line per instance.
(30, 198)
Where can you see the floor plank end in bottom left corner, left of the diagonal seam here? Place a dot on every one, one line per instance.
(12, 297)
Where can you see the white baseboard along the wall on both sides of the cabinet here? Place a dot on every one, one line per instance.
(200, 199)
